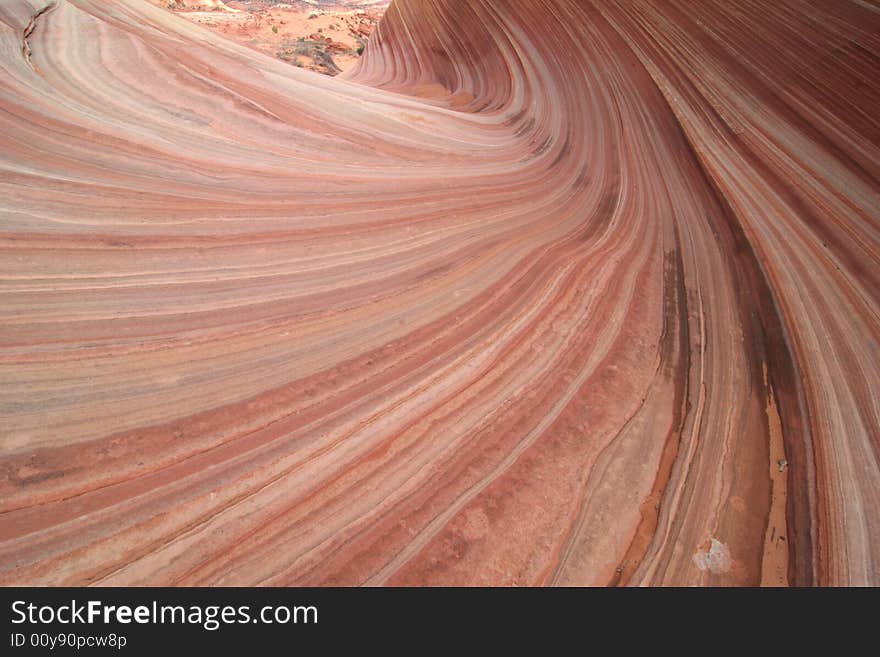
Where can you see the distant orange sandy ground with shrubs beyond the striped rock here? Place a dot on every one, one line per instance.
(325, 37)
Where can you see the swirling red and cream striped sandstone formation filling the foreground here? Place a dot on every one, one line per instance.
(542, 292)
